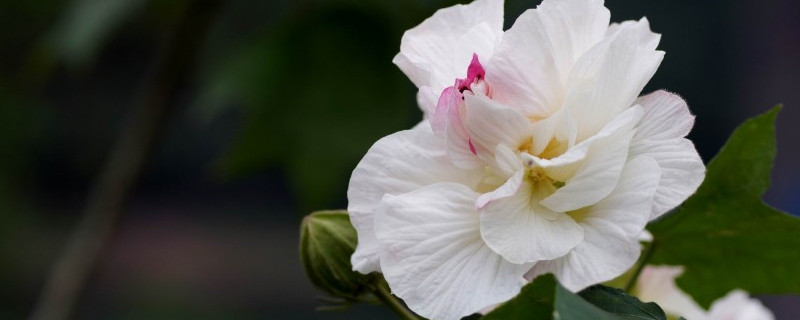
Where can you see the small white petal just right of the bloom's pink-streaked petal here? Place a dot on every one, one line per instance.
(490, 124)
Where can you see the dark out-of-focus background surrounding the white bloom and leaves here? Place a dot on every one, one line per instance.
(270, 107)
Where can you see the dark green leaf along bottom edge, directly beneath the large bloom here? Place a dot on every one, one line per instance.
(544, 298)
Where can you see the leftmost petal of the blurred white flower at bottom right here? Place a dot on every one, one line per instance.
(657, 284)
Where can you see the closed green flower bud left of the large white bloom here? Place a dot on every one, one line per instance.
(327, 240)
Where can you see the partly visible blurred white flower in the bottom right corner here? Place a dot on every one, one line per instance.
(657, 283)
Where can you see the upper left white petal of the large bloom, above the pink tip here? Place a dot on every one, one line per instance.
(438, 51)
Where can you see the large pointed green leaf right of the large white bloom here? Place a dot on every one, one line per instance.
(725, 236)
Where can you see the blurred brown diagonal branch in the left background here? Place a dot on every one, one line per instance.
(133, 147)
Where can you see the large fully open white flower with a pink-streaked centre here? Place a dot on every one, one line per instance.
(536, 156)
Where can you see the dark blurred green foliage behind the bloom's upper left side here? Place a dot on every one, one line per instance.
(317, 89)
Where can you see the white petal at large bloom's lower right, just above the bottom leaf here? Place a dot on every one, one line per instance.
(610, 245)
